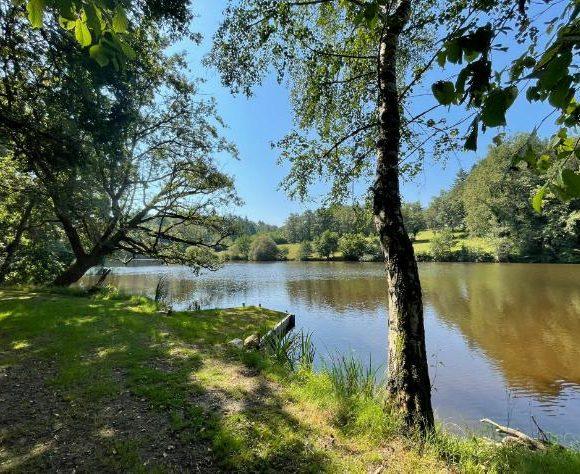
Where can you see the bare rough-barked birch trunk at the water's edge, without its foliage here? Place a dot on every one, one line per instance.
(408, 376)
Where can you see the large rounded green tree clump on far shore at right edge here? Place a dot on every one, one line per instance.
(497, 196)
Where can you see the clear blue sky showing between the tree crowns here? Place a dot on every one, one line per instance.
(267, 116)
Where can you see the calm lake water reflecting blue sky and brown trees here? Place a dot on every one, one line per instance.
(503, 339)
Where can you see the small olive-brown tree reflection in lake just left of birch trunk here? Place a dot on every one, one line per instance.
(365, 294)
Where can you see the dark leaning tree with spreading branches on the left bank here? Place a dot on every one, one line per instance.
(126, 168)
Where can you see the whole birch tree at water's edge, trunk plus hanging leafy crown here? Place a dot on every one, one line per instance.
(353, 67)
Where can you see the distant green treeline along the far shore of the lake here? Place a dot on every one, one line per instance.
(492, 202)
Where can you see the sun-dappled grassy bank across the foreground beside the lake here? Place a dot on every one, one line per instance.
(109, 384)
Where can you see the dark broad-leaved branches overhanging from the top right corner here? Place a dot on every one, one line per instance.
(544, 66)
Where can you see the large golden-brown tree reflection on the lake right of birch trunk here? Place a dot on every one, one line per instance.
(526, 318)
